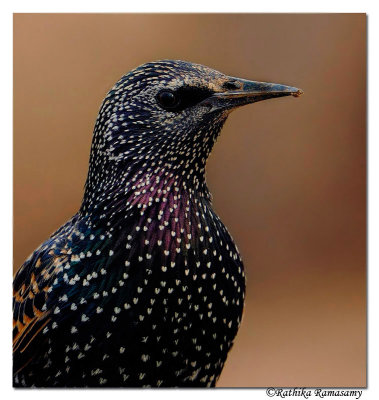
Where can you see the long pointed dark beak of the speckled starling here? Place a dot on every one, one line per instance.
(240, 92)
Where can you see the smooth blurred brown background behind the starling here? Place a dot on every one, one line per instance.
(288, 175)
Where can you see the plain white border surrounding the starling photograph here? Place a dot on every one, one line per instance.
(6, 159)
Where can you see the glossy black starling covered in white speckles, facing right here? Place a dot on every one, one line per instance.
(143, 286)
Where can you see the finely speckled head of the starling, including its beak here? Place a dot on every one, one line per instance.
(166, 116)
